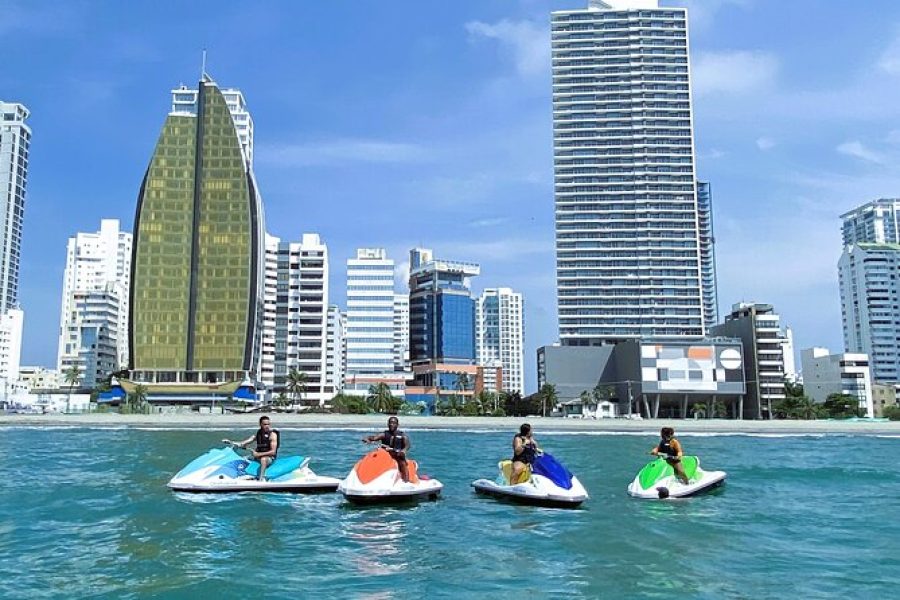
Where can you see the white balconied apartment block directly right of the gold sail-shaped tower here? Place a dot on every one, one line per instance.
(295, 314)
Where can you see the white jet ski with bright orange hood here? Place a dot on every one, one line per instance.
(375, 479)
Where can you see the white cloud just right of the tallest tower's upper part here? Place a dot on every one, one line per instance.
(733, 72)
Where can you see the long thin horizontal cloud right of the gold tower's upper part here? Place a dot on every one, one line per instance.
(336, 152)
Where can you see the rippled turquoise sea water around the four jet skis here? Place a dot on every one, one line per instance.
(85, 512)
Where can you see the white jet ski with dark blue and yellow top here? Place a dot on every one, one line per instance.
(545, 483)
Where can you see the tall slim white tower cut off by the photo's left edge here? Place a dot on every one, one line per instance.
(15, 141)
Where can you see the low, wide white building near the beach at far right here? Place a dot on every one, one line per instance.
(846, 373)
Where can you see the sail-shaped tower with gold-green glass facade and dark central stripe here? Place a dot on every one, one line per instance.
(196, 265)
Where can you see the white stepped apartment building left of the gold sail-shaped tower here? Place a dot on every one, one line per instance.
(97, 277)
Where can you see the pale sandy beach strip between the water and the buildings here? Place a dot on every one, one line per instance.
(375, 421)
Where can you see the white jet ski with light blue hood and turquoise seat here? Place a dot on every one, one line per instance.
(224, 470)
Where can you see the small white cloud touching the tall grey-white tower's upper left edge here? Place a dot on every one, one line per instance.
(528, 41)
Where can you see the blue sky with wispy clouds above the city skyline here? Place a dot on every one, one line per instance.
(406, 123)
